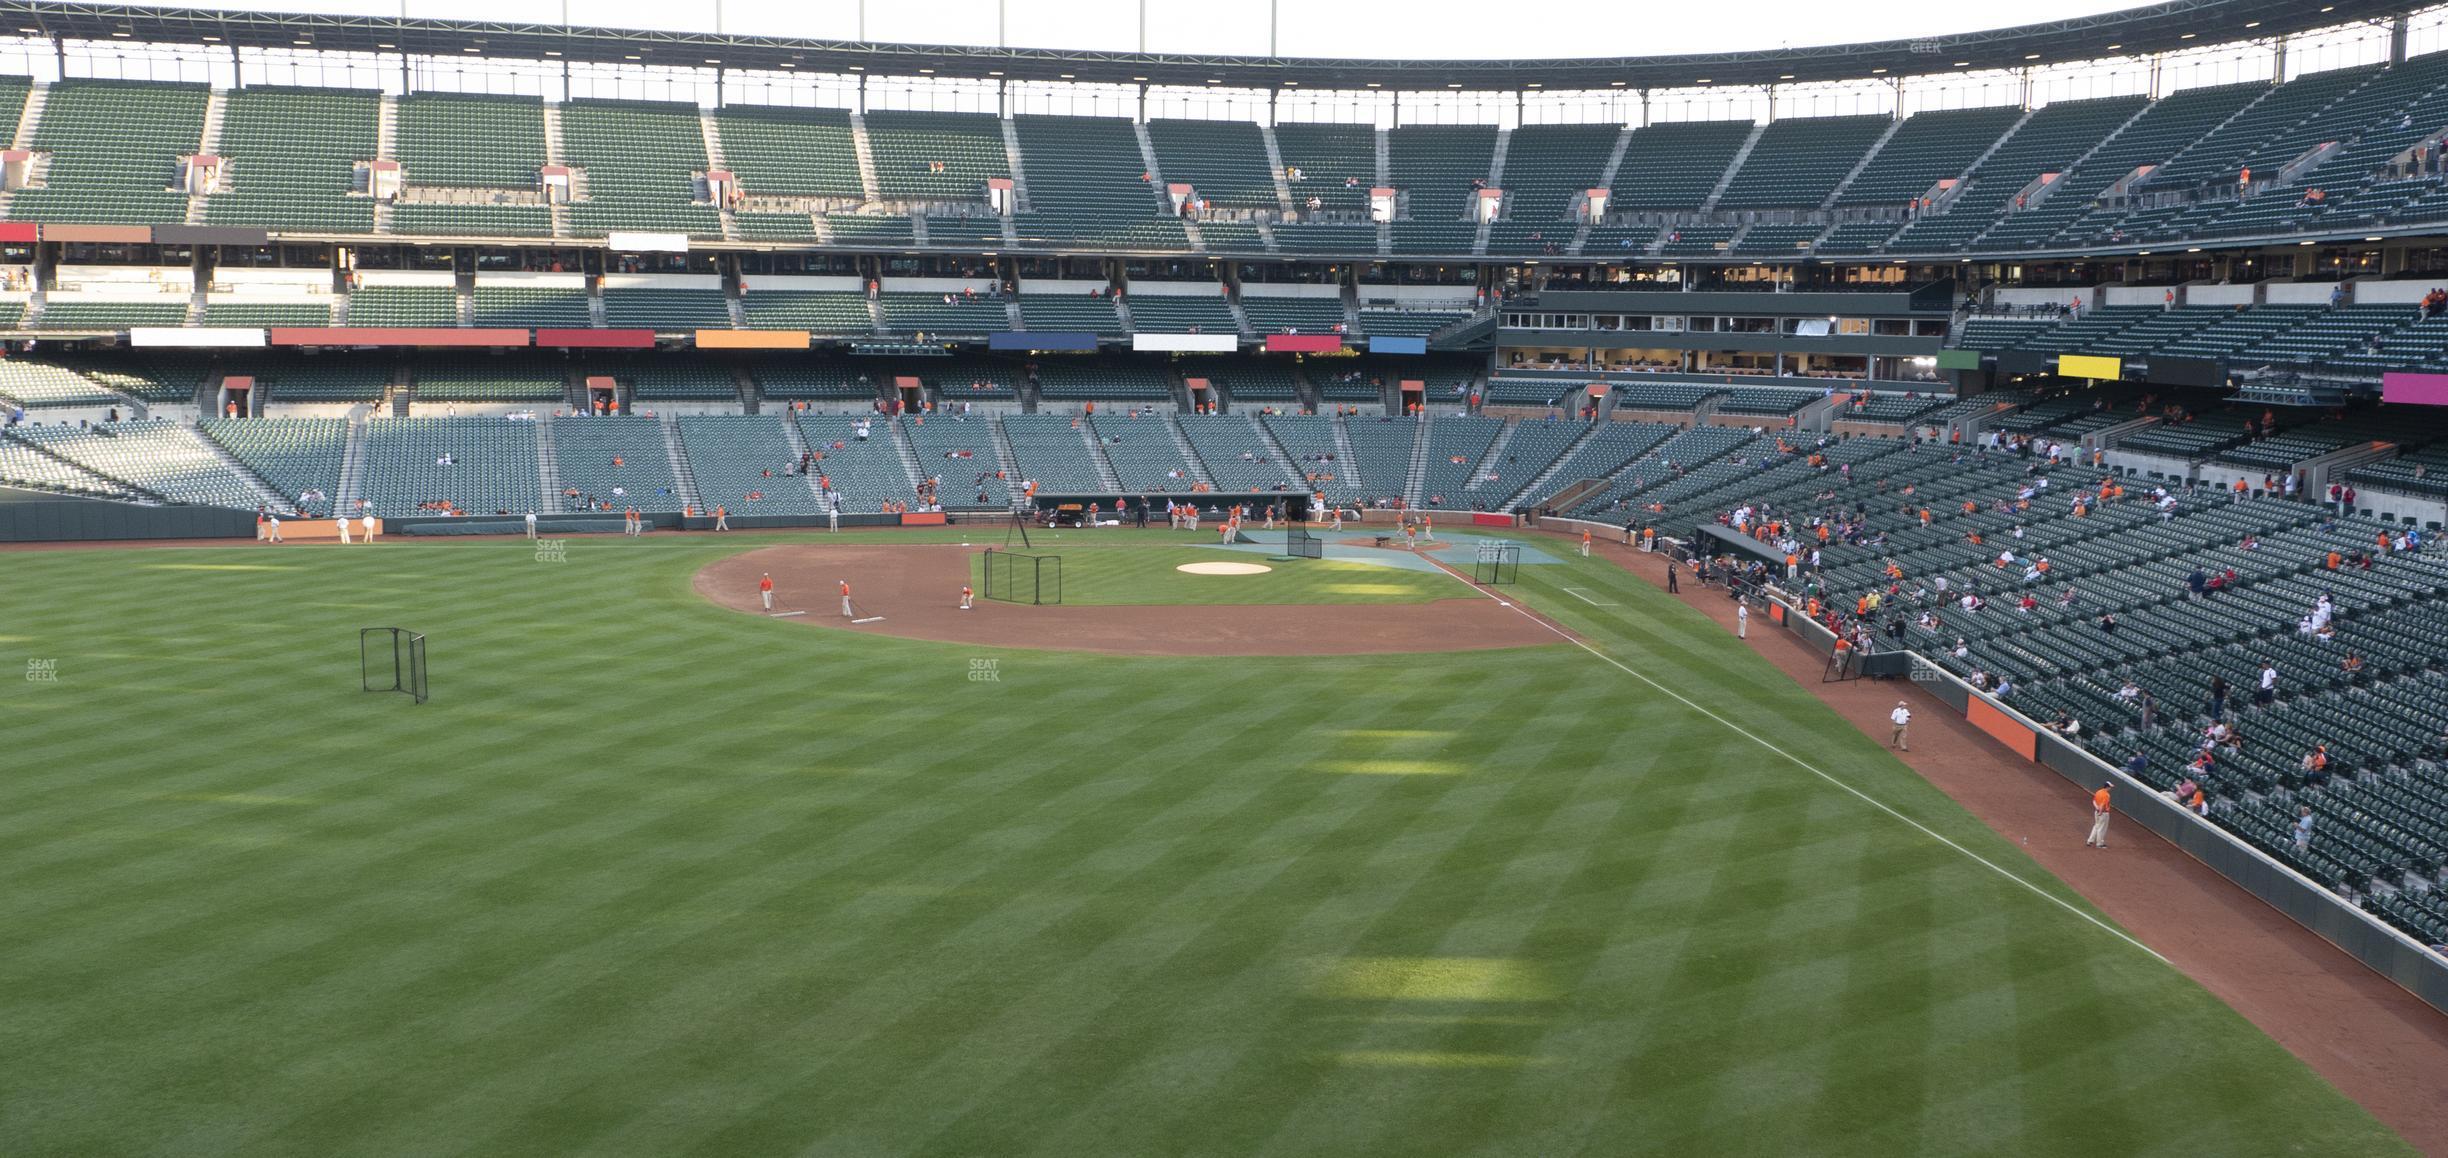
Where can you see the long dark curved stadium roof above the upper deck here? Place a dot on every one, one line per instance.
(2173, 26)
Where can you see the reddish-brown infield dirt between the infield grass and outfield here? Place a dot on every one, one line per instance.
(917, 591)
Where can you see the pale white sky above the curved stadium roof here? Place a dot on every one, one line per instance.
(1306, 28)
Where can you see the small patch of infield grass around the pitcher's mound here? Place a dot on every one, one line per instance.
(1122, 574)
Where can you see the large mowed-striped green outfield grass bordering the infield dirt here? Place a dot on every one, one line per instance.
(655, 878)
